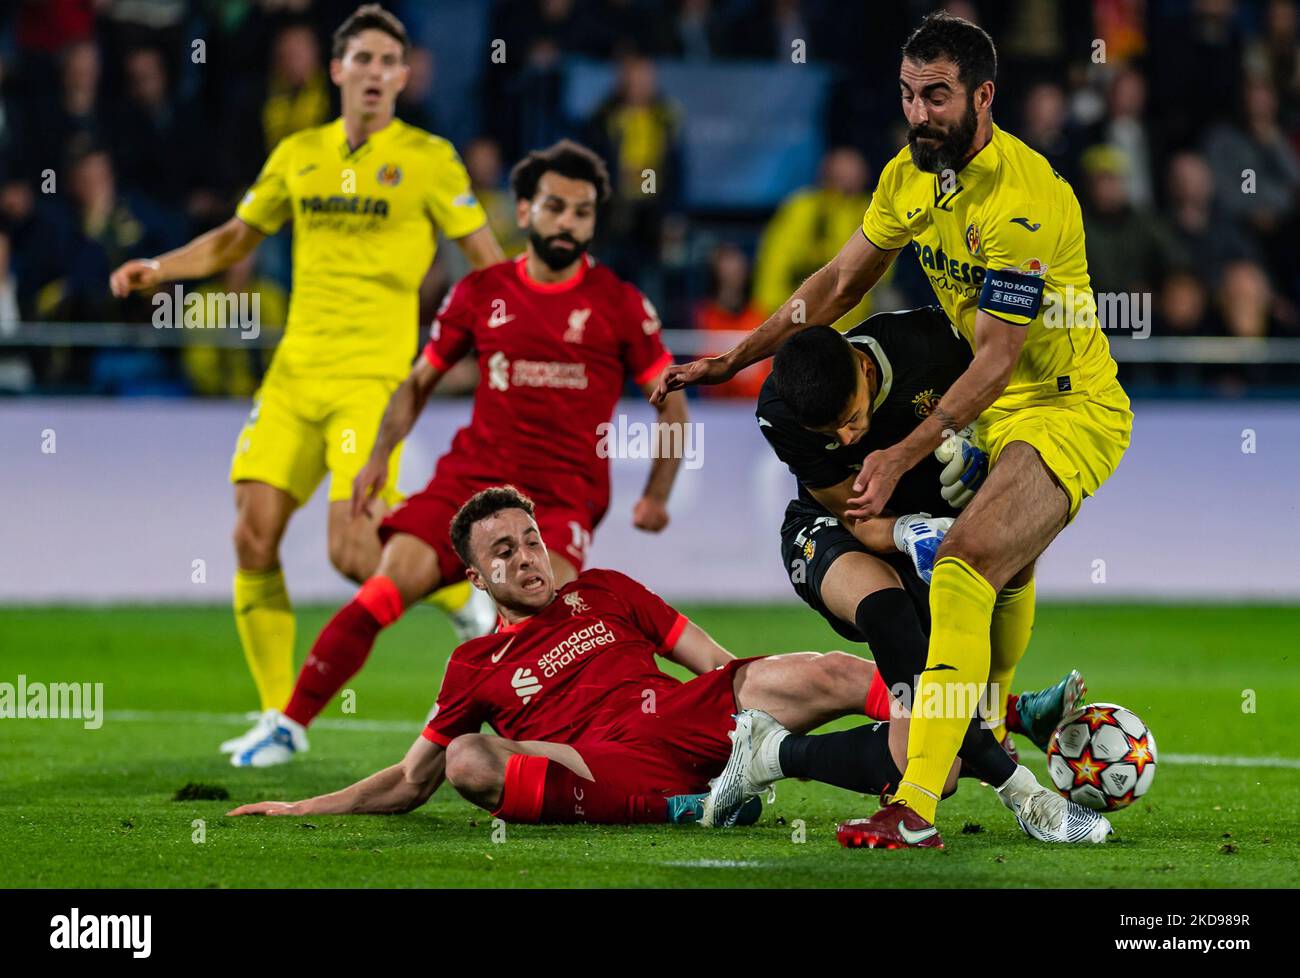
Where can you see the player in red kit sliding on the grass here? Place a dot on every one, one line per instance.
(590, 730)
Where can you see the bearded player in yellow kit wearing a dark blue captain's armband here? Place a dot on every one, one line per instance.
(1000, 237)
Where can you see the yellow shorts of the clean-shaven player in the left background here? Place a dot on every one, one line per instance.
(301, 429)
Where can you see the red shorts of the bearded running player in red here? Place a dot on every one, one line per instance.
(427, 516)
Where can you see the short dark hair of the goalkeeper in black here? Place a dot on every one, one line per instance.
(816, 374)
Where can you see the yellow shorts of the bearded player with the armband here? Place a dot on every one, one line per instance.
(1081, 443)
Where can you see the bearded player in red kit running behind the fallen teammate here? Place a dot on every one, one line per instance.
(557, 337)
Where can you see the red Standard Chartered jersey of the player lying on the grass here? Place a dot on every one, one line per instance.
(577, 667)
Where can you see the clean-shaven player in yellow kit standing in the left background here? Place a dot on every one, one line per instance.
(367, 196)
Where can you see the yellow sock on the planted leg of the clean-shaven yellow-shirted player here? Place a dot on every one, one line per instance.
(266, 624)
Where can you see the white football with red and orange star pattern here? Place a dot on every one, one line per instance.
(1103, 758)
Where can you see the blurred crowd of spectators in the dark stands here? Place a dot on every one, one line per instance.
(127, 127)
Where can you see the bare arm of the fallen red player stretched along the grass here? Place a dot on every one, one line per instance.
(395, 791)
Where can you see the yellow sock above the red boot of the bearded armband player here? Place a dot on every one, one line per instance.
(961, 608)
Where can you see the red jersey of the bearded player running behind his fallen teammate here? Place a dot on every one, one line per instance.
(553, 361)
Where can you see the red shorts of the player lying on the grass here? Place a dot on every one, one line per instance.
(678, 748)
